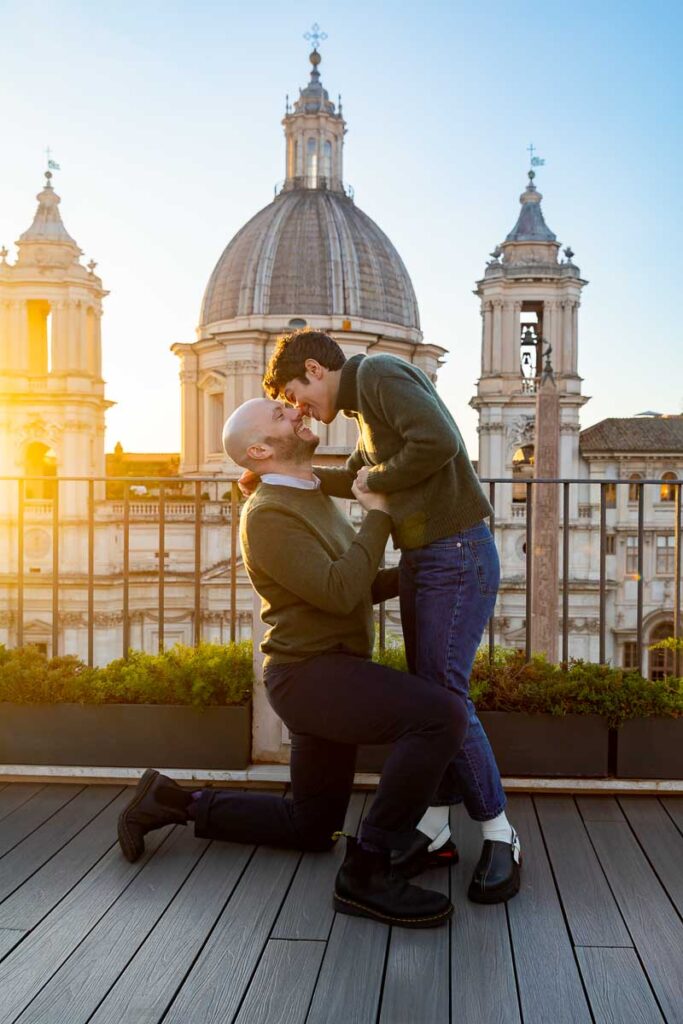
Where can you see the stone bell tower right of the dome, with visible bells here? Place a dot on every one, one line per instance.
(530, 301)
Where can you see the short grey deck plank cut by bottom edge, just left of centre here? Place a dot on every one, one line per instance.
(284, 983)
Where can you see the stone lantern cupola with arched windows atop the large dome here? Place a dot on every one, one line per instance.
(315, 132)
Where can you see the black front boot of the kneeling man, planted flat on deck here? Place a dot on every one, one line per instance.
(367, 887)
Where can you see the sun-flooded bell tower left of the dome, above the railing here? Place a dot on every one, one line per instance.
(52, 392)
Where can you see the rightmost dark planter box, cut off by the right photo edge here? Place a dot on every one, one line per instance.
(651, 748)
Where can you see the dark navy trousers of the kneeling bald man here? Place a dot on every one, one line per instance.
(331, 704)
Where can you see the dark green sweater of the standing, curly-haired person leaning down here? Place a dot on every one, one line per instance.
(416, 452)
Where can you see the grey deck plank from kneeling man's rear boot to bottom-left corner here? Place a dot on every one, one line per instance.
(44, 952)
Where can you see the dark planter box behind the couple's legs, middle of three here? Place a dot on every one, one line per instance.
(533, 745)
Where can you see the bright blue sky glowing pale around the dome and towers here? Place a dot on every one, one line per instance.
(165, 118)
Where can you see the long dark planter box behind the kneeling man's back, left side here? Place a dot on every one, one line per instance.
(125, 736)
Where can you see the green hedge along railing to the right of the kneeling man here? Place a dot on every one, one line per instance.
(510, 684)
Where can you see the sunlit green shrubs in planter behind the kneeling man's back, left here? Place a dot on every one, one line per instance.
(203, 676)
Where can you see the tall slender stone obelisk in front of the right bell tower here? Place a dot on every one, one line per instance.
(546, 519)
